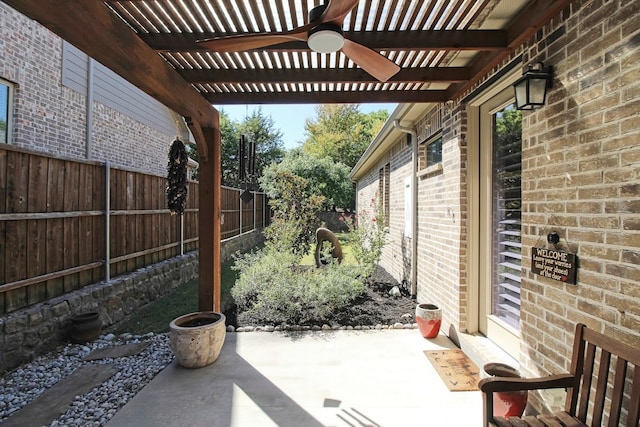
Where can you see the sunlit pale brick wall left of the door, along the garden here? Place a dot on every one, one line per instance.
(441, 268)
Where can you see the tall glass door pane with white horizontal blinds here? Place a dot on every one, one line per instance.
(507, 205)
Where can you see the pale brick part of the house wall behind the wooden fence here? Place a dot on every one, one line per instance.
(51, 118)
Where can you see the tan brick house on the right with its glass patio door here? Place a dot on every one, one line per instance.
(485, 200)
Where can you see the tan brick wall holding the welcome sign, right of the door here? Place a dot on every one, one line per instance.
(581, 178)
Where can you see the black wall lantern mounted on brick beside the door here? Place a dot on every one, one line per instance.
(531, 88)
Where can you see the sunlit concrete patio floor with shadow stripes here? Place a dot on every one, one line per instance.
(379, 378)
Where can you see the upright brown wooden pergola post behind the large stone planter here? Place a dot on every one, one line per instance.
(209, 223)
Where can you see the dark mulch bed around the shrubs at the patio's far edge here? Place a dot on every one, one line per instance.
(375, 307)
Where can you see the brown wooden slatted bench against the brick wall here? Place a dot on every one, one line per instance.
(589, 391)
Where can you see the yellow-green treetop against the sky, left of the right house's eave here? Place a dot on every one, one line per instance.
(341, 132)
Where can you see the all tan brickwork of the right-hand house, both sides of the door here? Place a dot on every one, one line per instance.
(581, 178)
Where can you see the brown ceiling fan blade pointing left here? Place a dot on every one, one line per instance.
(244, 42)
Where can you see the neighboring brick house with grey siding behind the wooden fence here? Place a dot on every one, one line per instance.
(56, 100)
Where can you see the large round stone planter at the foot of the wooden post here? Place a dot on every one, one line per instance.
(197, 338)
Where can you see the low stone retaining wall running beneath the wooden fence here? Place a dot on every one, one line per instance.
(40, 328)
